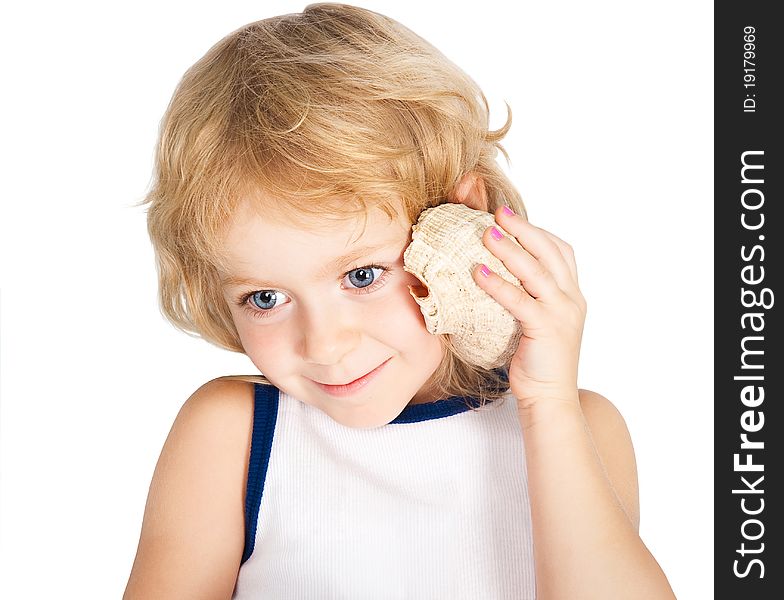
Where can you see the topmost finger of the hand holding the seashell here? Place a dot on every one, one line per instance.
(539, 245)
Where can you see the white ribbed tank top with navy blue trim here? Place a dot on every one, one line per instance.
(433, 505)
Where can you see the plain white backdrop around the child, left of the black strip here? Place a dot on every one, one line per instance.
(611, 147)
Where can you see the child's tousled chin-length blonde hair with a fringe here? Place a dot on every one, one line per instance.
(331, 111)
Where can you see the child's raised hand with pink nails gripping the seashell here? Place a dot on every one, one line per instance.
(549, 306)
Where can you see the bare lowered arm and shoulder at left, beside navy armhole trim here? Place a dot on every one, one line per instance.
(193, 531)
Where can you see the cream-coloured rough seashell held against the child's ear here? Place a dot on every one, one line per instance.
(446, 245)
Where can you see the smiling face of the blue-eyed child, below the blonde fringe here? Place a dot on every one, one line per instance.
(325, 313)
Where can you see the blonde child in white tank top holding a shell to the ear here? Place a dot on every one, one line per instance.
(370, 460)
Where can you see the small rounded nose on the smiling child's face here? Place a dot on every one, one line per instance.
(328, 336)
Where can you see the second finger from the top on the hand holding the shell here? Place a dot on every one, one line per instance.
(537, 280)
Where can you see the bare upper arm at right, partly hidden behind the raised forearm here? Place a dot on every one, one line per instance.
(614, 447)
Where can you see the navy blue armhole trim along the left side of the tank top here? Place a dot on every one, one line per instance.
(265, 415)
